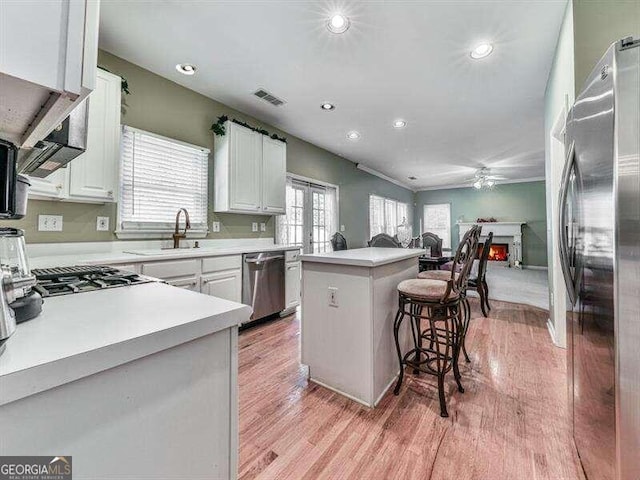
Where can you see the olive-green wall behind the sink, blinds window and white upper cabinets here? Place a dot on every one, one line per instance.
(161, 106)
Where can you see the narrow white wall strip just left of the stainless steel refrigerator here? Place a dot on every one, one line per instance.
(559, 97)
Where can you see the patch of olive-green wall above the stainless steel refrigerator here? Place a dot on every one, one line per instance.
(597, 24)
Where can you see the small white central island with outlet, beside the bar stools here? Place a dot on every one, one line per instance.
(349, 302)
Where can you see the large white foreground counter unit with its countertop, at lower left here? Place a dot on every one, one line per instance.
(133, 382)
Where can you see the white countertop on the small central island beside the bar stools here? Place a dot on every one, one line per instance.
(364, 257)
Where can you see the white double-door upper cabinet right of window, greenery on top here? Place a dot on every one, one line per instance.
(250, 172)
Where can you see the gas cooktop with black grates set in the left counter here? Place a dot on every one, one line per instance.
(66, 280)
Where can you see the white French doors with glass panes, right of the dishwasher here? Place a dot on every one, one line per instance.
(312, 215)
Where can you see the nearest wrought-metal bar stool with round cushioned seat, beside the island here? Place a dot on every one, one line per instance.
(437, 303)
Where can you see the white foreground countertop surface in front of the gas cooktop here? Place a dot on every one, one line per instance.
(82, 334)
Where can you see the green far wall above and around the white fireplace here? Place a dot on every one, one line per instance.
(509, 202)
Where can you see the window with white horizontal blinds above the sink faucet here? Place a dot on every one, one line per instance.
(159, 176)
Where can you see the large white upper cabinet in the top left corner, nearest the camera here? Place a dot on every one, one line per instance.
(48, 56)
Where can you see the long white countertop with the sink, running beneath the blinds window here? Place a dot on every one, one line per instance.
(146, 255)
